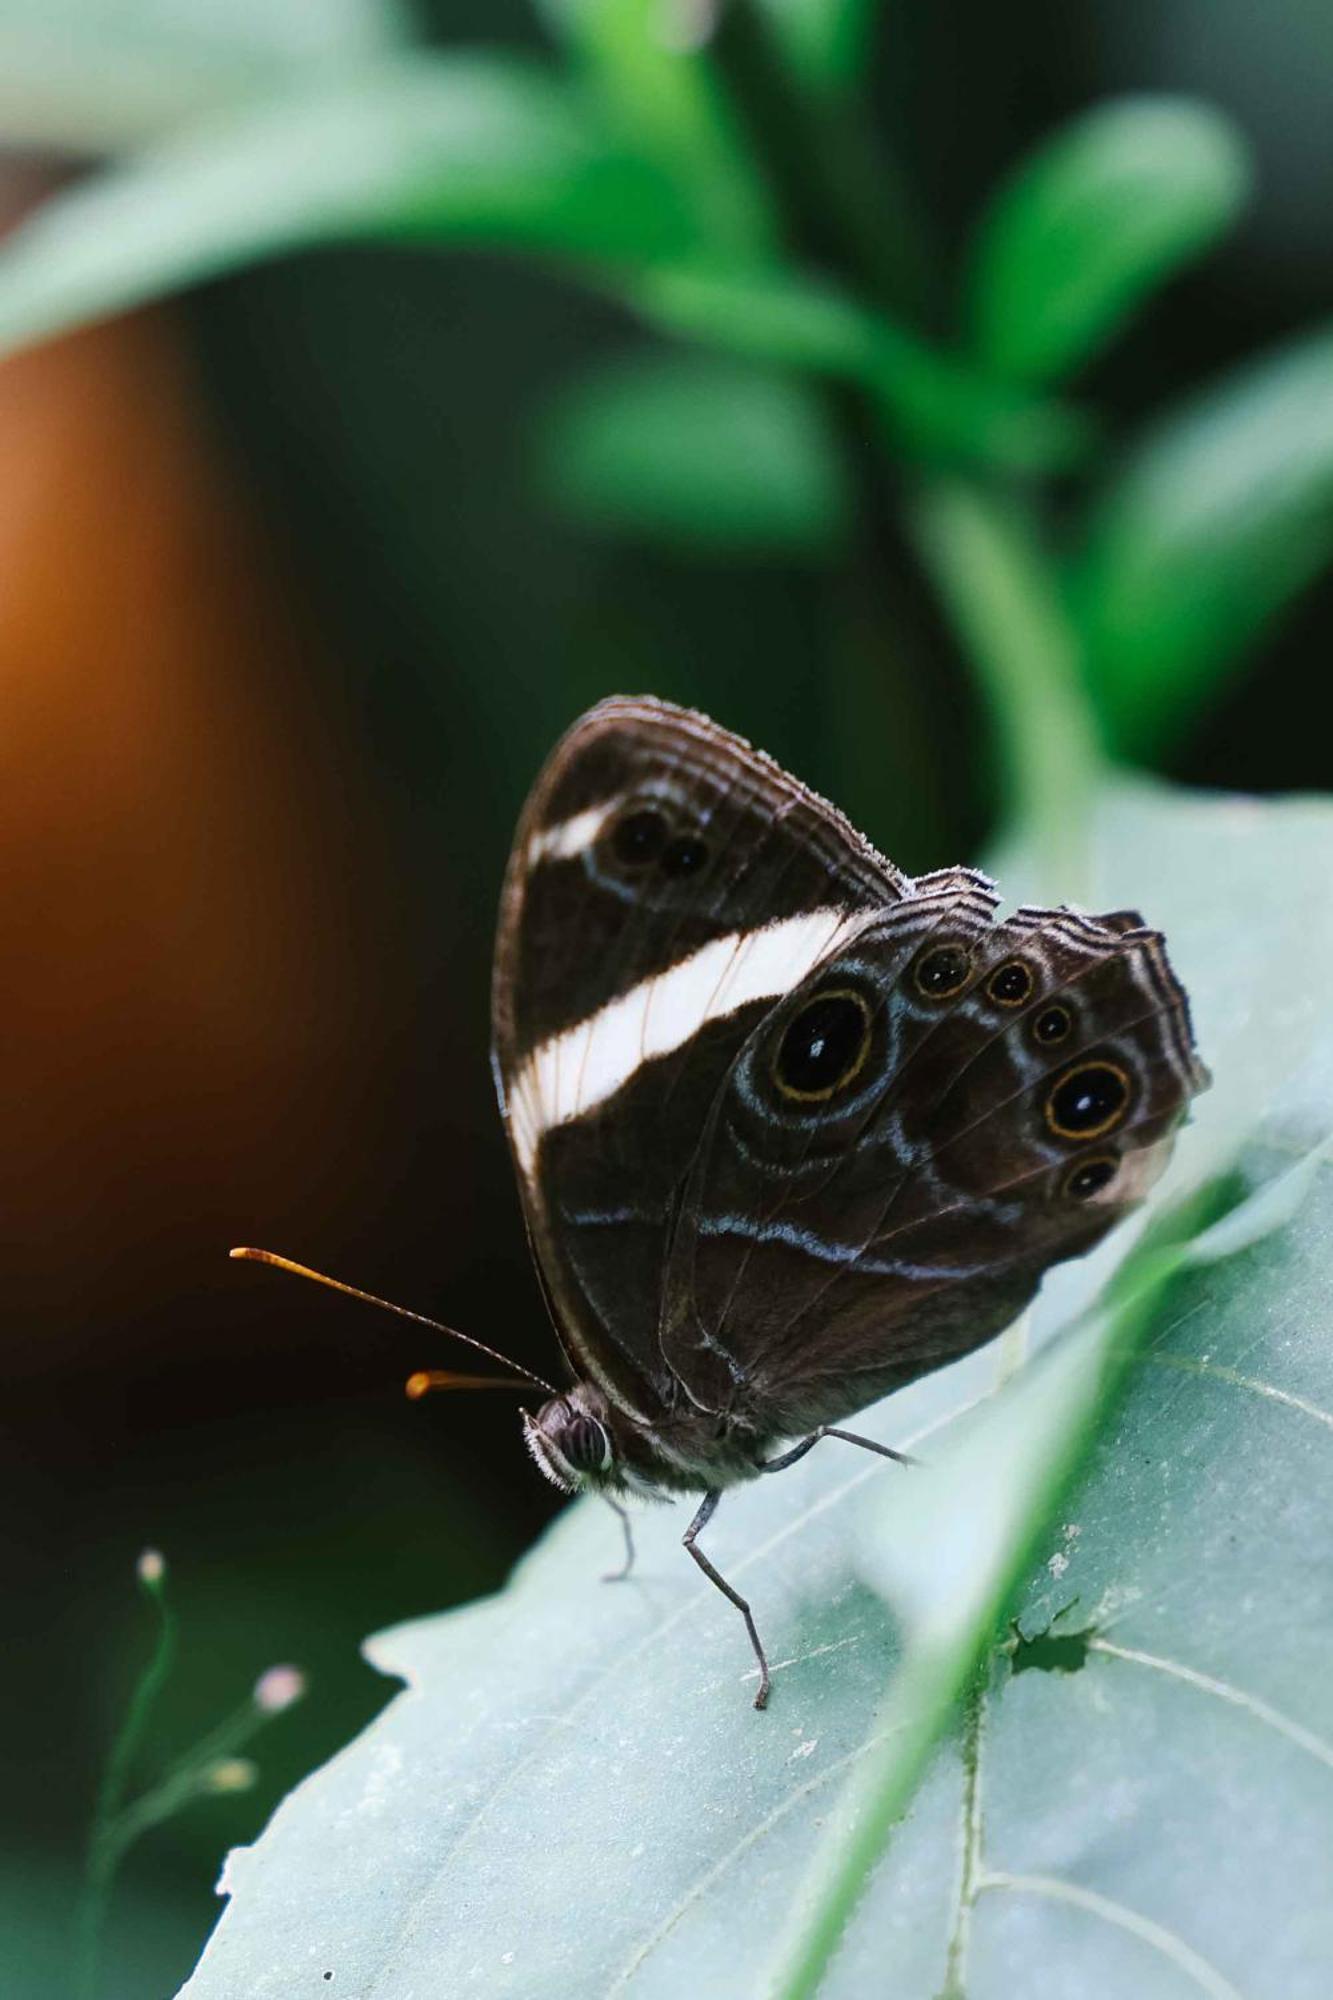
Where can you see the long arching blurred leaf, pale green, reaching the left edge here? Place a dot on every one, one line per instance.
(457, 149)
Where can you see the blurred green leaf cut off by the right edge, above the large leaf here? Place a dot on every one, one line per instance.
(1212, 525)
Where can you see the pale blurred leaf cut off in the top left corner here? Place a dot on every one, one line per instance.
(97, 75)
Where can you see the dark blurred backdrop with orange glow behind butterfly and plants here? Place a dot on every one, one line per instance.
(287, 631)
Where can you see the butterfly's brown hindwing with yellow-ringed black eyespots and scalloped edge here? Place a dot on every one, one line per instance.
(1010, 1095)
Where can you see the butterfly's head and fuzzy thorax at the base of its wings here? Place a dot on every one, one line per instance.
(583, 1441)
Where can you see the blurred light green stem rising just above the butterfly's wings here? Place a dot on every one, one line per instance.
(1006, 605)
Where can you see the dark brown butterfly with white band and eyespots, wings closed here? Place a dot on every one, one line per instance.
(790, 1127)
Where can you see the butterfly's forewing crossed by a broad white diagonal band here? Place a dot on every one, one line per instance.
(668, 885)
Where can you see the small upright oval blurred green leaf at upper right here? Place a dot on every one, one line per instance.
(1100, 217)
